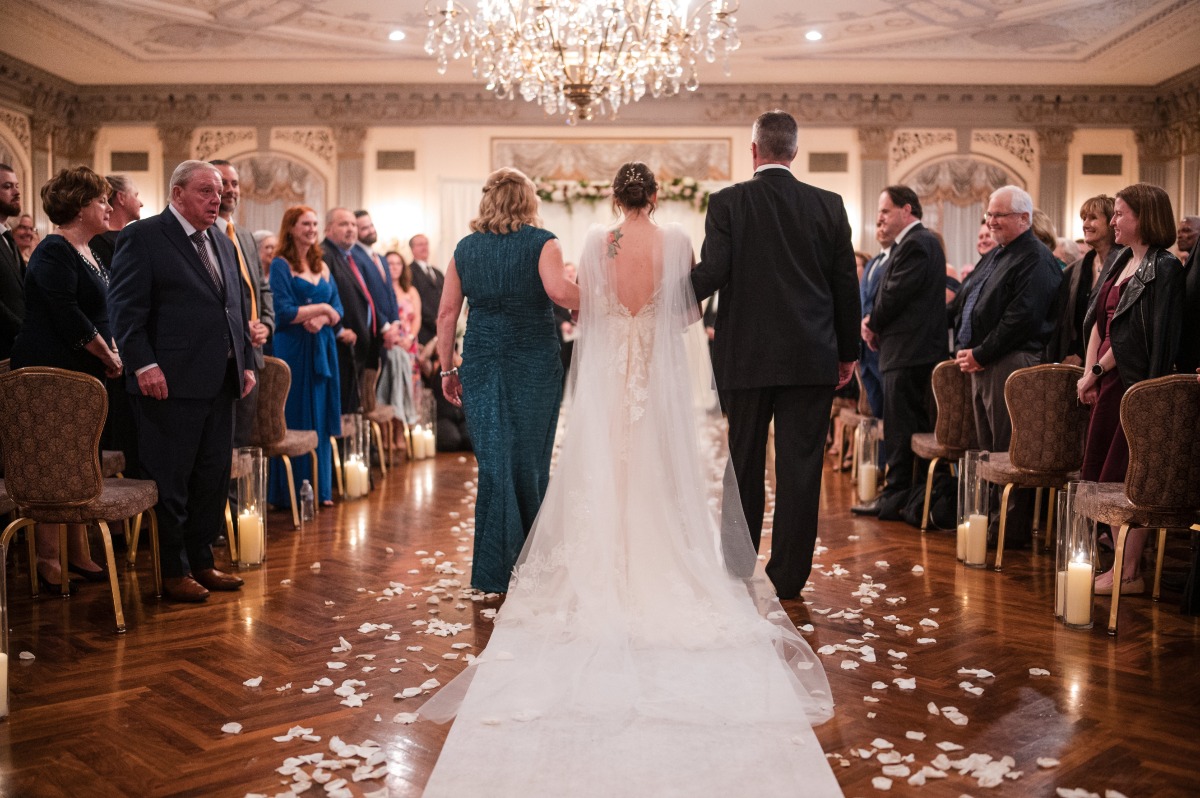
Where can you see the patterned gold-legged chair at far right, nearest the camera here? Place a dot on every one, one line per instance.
(1161, 419)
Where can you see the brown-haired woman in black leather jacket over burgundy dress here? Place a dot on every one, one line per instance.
(1135, 323)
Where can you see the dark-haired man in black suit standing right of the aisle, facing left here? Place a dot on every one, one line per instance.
(908, 328)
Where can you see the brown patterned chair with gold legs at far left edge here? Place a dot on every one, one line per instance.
(53, 419)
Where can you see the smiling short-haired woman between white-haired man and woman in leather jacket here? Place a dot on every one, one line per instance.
(1079, 284)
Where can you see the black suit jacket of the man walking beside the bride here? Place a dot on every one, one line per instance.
(779, 251)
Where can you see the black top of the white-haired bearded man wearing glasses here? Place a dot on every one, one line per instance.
(1015, 311)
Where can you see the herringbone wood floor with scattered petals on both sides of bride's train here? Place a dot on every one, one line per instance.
(141, 715)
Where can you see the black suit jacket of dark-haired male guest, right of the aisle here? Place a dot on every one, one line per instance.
(910, 303)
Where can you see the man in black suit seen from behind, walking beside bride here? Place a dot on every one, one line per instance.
(787, 335)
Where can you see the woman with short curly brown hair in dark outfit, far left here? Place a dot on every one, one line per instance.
(67, 325)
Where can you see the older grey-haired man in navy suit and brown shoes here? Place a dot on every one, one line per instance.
(182, 326)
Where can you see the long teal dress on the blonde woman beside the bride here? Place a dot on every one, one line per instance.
(512, 388)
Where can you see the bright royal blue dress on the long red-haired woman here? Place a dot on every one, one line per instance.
(315, 398)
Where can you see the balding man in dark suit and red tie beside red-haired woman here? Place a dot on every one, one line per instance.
(358, 334)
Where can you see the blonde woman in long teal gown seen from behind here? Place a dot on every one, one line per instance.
(509, 385)
